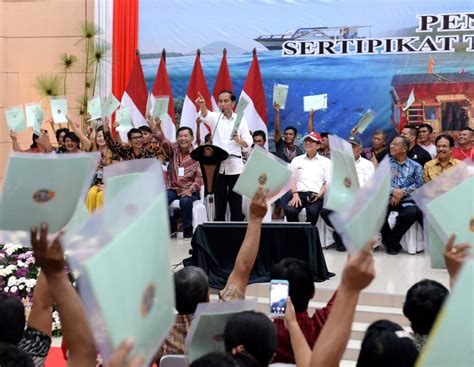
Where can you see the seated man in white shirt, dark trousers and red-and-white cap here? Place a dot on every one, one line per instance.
(309, 190)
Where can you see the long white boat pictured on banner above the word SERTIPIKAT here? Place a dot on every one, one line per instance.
(275, 41)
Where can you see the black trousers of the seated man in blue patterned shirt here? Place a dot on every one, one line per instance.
(407, 215)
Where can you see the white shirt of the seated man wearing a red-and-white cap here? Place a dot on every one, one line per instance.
(313, 172)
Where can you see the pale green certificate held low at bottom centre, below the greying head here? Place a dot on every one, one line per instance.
(207, 329)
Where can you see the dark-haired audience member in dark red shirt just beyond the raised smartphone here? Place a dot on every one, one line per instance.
(301, 291)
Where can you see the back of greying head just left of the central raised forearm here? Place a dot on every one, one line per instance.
(191, 287)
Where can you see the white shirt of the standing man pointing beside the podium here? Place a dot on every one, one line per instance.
(222, 126)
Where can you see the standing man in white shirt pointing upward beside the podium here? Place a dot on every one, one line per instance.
(222, 125)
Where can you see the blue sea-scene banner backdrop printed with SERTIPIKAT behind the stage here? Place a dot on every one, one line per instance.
(410, 62)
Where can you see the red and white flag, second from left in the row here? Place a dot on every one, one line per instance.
(162, 87)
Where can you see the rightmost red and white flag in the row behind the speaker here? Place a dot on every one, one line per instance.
(255, 113)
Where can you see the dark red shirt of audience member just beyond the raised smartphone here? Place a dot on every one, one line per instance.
(310, 326)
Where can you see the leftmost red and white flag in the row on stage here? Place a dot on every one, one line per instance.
(136, 94)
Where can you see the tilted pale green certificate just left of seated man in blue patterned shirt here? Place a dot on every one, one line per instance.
(363, 219)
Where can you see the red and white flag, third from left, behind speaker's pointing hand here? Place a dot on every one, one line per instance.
(197, 83)
